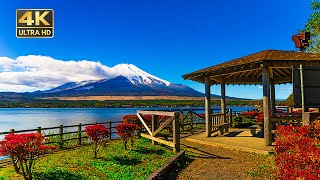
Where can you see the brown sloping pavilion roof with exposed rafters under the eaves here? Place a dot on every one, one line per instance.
(247, 69)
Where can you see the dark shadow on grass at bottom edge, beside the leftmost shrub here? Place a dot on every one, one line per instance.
(58, 175)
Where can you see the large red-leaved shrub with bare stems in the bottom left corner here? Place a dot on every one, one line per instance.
(23, 150)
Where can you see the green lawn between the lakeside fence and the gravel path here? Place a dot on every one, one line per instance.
(113, 163)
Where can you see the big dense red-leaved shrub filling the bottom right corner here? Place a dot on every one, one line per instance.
(297, 153)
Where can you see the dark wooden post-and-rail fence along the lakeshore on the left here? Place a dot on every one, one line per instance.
(63, 130)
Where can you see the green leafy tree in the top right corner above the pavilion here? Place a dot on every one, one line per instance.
(313, 26)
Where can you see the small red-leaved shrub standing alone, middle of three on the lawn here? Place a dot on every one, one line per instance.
(98, 134)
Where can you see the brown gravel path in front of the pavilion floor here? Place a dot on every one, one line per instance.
(215, 163)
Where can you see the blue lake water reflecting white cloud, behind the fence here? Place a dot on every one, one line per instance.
(30, 118)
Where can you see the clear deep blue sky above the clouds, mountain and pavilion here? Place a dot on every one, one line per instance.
(167, 38)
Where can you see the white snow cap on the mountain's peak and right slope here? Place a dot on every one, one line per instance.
(136, 75)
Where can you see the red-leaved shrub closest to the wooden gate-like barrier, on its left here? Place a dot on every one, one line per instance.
(126, 132)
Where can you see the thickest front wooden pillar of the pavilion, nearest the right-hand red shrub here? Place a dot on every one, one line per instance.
(266, 108)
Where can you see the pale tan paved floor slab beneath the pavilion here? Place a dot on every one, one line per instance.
(238, 139)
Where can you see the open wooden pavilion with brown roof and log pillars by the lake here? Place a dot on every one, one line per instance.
(265, 68)
